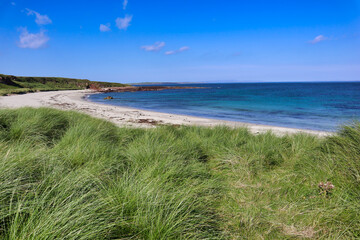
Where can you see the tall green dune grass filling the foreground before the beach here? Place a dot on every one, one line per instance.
(65, 175)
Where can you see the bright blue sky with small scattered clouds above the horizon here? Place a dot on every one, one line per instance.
(182, 40)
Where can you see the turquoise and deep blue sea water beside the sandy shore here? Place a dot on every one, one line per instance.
(315, 106)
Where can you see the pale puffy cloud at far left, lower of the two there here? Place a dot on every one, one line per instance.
(32, 40)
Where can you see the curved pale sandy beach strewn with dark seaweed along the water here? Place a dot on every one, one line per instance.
(123, 116)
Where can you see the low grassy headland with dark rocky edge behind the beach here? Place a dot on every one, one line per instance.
(18, 85)
